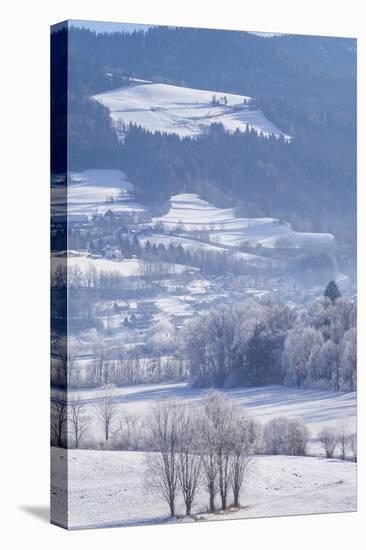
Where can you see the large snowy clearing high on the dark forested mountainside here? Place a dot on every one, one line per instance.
(183, 111)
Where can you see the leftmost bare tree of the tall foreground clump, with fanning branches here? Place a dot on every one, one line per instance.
(162, 471)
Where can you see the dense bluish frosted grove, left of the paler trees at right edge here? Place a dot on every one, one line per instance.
(239, 344)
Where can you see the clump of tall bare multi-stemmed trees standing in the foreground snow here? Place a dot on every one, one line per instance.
(208, 449)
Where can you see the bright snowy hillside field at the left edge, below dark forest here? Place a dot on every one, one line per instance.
(95, 192)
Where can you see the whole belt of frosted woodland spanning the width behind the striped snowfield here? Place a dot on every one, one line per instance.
(246, 344)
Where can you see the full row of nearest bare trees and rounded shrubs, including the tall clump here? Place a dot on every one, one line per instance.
(206, 447)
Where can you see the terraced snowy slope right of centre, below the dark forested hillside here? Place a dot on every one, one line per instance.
(190, 212)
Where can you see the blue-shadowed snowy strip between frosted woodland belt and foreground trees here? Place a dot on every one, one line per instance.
(318, 409)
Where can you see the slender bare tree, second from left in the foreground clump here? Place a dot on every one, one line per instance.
(189, 459)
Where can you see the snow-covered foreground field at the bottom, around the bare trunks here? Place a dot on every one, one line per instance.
(108, 488)
